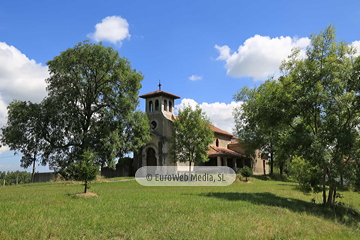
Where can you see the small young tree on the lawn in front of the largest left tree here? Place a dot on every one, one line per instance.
(86, 170)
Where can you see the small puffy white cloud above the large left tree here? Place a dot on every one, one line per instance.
(112, 29)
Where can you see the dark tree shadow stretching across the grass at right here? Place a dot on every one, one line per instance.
(342, 214)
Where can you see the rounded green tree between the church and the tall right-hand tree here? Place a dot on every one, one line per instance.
(259, 122)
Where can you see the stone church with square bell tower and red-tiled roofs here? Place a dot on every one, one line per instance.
(224, 151)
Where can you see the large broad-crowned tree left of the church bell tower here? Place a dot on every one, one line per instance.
(91, 104)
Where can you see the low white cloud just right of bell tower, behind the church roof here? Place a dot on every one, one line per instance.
(220, 114)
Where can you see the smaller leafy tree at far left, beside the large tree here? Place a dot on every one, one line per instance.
(21, 133)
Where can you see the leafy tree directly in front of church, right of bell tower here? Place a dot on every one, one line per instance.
(191, 137)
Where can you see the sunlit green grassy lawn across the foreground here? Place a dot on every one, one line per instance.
(264, 209)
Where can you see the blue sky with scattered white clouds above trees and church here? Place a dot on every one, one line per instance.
(203, 51)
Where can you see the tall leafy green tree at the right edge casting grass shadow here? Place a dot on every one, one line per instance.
(324, 88)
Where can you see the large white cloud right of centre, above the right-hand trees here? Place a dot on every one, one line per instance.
(260, 56)
